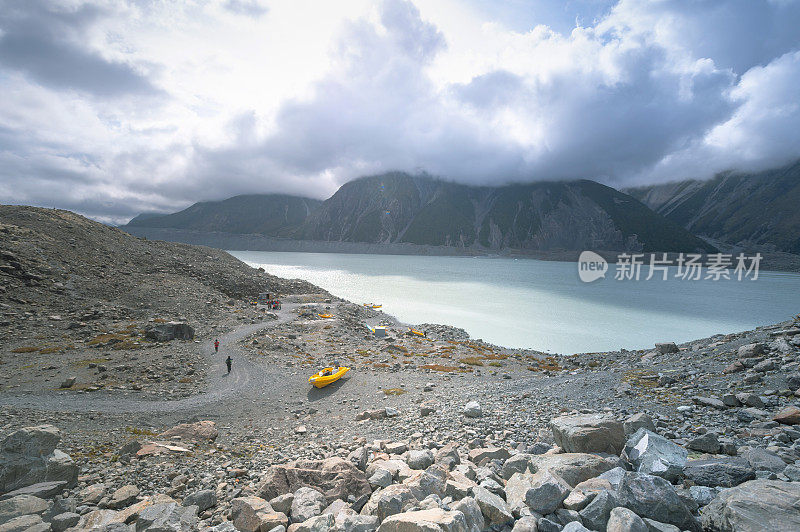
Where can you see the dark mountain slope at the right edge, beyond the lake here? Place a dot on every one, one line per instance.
(749, 210)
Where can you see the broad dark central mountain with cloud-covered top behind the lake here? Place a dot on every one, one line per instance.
(397, 207)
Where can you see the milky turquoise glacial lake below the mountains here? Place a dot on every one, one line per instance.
(539, 304)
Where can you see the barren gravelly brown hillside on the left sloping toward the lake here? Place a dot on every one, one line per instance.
(58, 266)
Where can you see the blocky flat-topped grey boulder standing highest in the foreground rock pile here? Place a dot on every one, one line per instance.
(589, 433)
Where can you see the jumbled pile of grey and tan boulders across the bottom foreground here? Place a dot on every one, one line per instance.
(602, 474)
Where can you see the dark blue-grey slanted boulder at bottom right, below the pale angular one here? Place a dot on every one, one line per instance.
(655, 498)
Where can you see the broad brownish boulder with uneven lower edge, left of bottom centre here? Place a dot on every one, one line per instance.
(336, 478)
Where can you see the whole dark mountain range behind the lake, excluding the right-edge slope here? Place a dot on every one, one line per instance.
(400, 208)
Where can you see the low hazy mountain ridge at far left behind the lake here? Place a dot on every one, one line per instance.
(269, 214)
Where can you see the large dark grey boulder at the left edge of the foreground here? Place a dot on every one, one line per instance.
(29, 456)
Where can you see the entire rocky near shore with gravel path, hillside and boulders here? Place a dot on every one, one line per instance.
(434, 432)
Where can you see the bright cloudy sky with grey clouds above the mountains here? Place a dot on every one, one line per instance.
(112, 108)
